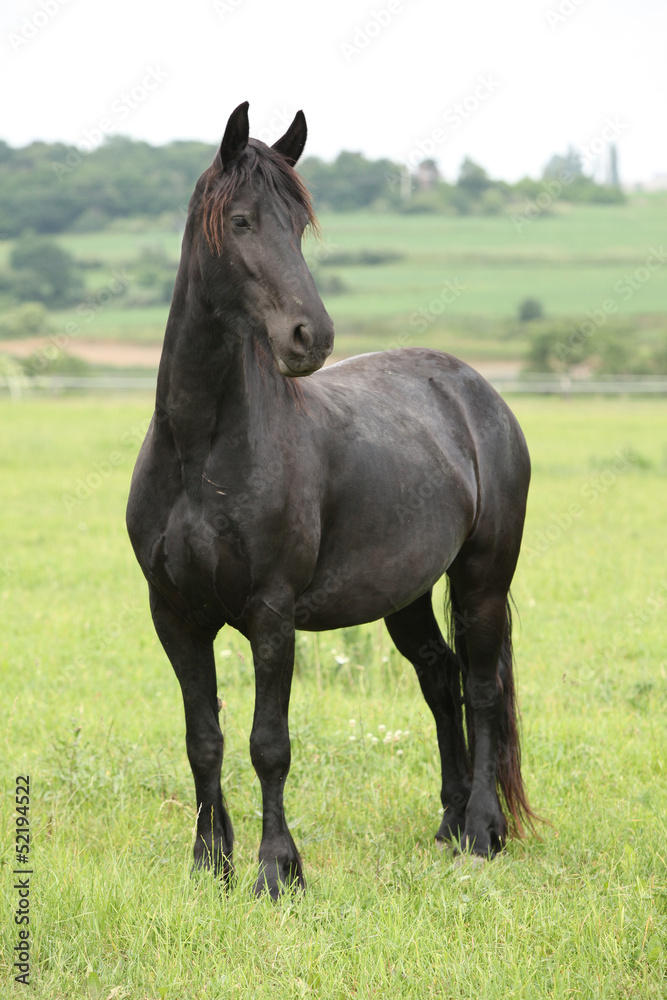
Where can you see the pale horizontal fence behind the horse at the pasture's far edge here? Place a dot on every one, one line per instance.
(546, 384)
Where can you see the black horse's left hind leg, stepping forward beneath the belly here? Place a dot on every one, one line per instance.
(417, 637)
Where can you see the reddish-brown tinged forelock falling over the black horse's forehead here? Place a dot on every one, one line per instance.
(256, 161)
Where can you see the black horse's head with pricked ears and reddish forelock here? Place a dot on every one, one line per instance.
(248, 216)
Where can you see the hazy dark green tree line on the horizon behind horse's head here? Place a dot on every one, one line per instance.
(54, 188)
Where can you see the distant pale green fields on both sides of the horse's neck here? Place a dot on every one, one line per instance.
(572, 260)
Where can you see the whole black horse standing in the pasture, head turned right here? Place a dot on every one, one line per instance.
(272, 503)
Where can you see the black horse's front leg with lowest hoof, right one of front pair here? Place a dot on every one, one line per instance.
(272, 638)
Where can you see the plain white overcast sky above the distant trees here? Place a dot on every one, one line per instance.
(508, 84)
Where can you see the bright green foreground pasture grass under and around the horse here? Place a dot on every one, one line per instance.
(93, 714)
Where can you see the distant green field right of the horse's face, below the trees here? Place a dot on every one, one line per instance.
(570, 261)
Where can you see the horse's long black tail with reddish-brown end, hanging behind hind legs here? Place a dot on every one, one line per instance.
(509, 782)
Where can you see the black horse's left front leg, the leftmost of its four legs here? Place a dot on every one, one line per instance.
(191, 655)
